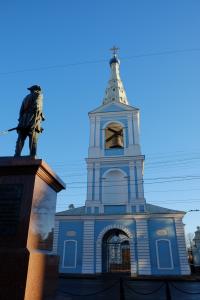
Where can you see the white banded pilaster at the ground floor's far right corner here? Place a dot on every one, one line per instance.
(180, 235)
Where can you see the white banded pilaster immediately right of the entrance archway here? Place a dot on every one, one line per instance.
(143, 251)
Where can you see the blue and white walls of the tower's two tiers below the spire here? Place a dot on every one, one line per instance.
(115, 176)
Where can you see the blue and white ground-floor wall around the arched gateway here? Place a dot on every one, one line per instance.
(154, 246)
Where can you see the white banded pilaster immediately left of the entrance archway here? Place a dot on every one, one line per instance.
(88, 248)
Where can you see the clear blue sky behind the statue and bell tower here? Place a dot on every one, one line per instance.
(64, 46)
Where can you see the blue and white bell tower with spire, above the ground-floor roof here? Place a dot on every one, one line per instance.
(115, 162)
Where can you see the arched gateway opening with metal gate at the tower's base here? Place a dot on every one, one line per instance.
(116, 252)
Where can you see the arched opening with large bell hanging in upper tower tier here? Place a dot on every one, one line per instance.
(114, 136)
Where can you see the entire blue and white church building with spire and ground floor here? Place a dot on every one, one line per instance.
(117, 230)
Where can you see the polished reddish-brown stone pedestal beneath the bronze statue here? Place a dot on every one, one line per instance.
(28, 191)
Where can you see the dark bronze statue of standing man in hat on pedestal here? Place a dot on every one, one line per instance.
(30, 118)
